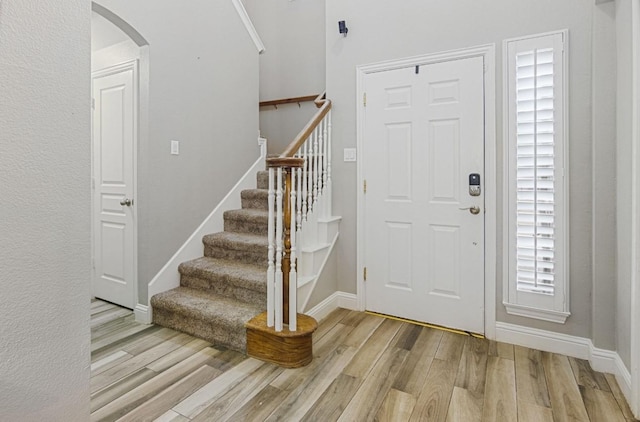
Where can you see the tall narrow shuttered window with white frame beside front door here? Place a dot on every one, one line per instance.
(536, 267)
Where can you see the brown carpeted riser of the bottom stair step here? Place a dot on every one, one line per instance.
(226, 336)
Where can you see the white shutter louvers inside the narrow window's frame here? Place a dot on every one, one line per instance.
(534, 171)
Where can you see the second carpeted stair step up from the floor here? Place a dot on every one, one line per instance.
(246, 276)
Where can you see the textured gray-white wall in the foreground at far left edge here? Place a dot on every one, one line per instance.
(44, 210)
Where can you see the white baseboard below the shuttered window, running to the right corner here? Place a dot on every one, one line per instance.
(601, 360)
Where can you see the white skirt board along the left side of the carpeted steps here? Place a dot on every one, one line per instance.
(168, 277)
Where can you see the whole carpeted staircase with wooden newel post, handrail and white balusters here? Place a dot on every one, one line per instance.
(243, 294)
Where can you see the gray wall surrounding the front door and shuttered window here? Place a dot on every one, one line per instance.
(381, 30)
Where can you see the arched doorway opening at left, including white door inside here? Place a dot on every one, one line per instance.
(119, 102)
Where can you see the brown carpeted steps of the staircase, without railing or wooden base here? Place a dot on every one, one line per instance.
(221, 291)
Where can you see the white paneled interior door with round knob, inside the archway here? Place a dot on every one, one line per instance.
(114, 143)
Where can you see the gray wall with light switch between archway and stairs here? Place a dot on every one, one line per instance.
(203, 91)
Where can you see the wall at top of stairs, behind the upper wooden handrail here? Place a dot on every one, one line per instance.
(292, 65)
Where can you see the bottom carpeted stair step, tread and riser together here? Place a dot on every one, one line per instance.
(217, 319)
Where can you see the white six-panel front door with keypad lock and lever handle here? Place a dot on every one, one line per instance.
(423, 243)
